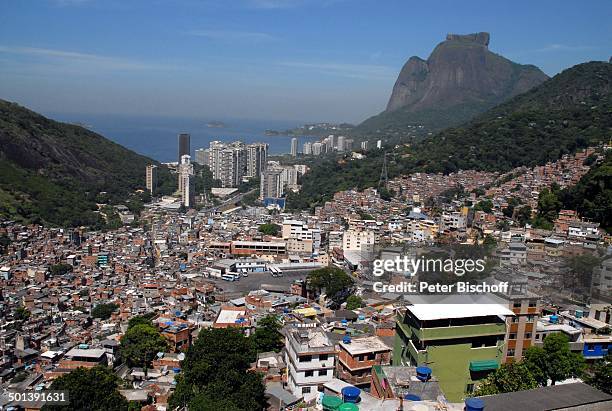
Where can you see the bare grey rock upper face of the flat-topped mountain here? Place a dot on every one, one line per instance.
(461, 69)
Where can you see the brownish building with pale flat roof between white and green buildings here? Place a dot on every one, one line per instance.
(357, 356)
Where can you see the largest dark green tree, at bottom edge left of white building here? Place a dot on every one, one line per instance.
(215, 374)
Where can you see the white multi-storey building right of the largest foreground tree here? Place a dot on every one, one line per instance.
(310, 359)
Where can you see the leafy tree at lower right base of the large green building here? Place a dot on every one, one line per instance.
(509, 377)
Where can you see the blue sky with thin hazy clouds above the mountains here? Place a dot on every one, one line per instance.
(308, 60)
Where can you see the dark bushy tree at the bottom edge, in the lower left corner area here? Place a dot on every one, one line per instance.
(93, 389)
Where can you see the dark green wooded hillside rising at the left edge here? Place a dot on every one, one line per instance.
(54, 172)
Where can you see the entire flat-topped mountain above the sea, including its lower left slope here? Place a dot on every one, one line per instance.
(460, 79)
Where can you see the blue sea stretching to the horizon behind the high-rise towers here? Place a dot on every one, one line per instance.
(156, 137)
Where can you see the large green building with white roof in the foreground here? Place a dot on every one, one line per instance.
(461, 343)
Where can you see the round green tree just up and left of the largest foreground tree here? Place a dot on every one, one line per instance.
(140, 344)
